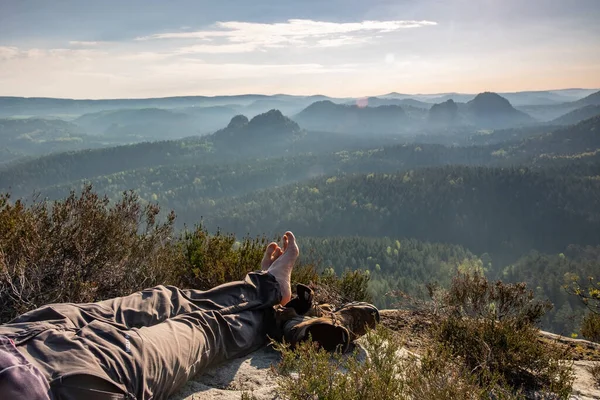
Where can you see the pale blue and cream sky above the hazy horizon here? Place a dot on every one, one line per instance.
(343, 48)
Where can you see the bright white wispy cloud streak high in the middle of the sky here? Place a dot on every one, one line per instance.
(241, 37)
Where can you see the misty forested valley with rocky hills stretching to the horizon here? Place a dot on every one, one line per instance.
(410, 188)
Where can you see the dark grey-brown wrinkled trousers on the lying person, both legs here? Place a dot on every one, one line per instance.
(148, 344)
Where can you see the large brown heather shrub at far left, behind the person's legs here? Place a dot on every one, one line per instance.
(81, 249)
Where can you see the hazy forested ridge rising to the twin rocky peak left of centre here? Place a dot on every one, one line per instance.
(267, 135)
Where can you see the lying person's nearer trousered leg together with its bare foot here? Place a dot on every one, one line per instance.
(157, 358)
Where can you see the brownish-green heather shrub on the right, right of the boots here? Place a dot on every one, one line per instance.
(491, 328)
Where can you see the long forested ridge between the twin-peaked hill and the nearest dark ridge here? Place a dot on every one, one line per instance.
(176, 186)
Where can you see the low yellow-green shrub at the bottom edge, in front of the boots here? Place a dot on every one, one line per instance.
(382, 372)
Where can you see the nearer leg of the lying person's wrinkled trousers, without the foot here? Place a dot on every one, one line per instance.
(152, 362)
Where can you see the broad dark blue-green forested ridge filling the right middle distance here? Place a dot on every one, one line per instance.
(502, 211)
